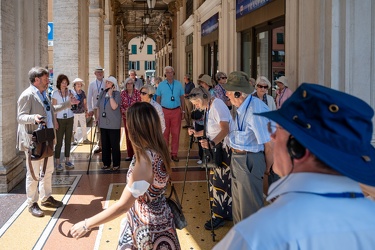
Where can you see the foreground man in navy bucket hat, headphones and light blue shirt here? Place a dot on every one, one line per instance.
(322, 150)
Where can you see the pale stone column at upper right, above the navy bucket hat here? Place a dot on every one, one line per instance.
(332, 43)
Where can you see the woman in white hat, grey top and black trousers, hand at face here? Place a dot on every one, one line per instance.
(109, 114)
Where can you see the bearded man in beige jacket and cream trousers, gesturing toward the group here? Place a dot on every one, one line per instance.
(34, 107)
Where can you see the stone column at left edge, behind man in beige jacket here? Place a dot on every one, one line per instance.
(23, 43)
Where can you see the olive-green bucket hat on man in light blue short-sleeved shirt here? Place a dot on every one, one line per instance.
(238, 81)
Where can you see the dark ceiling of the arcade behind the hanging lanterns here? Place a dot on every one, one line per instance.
(131, 13)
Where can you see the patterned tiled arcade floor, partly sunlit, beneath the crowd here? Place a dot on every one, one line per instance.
(85, 193)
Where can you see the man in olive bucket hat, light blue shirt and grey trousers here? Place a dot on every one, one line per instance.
(251, 147)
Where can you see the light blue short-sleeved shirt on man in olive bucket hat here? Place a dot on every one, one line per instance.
(248, 131)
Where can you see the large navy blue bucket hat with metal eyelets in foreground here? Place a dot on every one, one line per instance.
(336, 127)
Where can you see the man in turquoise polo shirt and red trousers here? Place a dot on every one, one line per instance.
(170, 95)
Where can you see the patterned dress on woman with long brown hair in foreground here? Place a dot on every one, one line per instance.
(149, 223)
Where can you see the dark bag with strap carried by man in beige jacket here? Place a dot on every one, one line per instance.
(41, 147)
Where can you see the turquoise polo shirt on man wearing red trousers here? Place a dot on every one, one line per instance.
(166, 91)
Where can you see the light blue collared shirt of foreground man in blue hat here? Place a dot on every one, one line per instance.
(307, 220)
